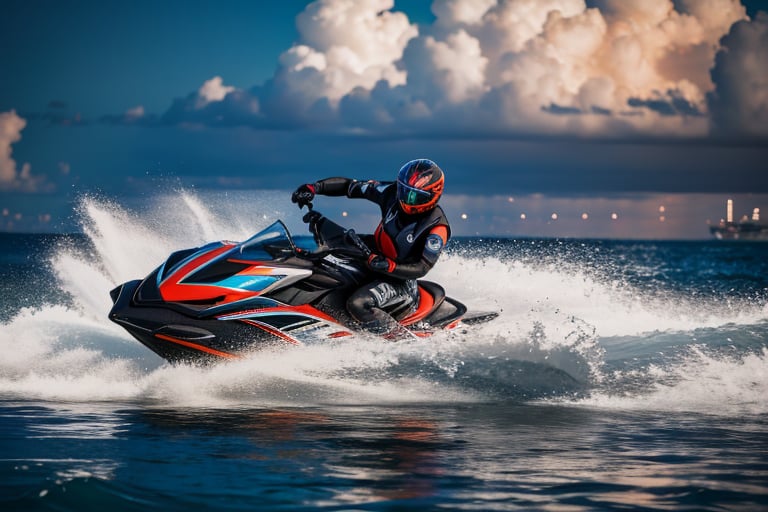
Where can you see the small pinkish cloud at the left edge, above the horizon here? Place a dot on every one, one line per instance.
(22, 179)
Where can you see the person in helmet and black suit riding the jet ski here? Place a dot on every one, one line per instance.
(405, 245)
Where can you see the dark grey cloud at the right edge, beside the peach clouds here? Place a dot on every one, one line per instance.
(739, 104)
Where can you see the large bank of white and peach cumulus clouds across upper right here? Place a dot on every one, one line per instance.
(504, 67)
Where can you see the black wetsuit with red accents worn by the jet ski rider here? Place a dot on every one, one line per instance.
(411, 245)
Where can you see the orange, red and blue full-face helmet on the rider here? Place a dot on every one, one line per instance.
(419, 186)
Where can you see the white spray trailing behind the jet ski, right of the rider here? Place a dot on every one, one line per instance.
(555, 294)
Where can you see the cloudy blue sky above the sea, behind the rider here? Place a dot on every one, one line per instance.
(565, 118)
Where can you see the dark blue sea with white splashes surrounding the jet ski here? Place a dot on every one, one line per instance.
(618, 376)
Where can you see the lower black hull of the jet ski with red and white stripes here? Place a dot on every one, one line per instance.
(177, 337)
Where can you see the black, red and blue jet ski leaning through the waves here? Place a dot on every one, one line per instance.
(226, 299)
